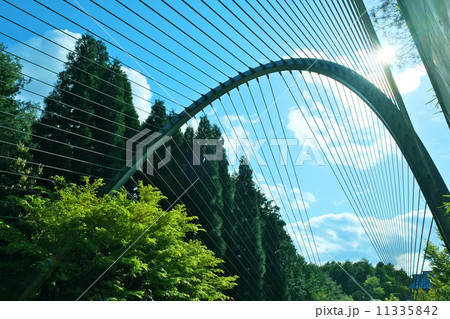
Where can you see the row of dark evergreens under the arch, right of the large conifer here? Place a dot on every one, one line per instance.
(241, 225)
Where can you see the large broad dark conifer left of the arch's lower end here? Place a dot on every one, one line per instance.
(88, 113)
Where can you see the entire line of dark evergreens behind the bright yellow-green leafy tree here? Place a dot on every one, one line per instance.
(82, 130)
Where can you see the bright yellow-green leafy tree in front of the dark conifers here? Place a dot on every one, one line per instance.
(67, 238)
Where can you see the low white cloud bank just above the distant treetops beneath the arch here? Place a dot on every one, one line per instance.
(342, 235)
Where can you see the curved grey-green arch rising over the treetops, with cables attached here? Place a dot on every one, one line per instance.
(420, 162)
